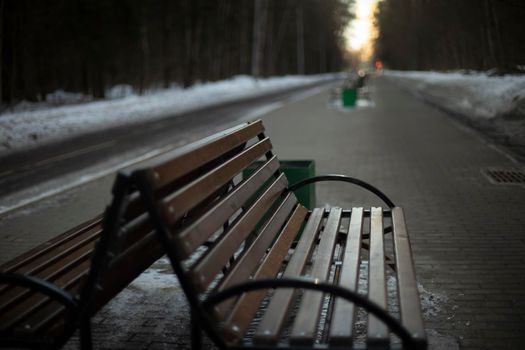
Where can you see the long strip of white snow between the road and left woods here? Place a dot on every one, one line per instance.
(24, 129)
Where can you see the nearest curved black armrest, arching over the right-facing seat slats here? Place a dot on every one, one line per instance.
(395, 326)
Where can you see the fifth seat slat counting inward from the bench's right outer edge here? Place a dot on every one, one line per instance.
(272, 324)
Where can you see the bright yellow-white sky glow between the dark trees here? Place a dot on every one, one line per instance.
(359, 34)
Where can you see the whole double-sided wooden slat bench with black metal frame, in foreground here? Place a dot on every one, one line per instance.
(233, 243)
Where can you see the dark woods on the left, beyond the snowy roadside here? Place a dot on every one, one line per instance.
(88, 46)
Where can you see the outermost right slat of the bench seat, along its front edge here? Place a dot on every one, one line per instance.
(409, 302)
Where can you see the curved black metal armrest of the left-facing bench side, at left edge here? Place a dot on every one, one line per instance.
(39, 285)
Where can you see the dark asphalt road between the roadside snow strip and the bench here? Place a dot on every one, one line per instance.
(24, 170)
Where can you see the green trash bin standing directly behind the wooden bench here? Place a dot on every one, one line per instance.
(295, 171)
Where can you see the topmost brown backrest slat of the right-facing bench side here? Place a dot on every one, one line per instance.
(174, 167)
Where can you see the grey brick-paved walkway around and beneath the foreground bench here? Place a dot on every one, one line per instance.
(468, 234)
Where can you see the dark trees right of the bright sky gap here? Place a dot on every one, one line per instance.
(449, 34)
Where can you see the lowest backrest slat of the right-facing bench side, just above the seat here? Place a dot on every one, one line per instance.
(246, 264)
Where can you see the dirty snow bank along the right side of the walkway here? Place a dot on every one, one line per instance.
(494, 102)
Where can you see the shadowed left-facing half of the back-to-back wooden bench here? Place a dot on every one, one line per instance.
(51, 291)
